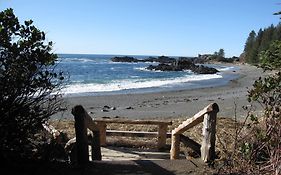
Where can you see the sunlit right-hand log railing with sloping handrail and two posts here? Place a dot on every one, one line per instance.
(208, 116)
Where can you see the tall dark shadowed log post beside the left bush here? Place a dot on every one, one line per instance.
(81, 135)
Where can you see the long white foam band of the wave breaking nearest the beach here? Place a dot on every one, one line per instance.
(134, 84)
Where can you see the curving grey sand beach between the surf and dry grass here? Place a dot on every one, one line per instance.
(170, 104)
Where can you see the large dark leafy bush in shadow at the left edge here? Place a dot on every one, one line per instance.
(29, 84)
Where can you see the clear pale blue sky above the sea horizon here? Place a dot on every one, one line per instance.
(147, 27)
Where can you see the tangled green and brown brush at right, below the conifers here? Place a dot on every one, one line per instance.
(257, 147)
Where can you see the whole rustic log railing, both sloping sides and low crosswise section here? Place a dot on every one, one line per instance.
(207, 151)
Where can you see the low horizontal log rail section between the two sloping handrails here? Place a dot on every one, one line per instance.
(161, 134)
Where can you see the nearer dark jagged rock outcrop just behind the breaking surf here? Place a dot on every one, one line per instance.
(184, 65)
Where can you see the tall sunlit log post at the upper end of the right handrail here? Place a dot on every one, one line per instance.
(209, 135)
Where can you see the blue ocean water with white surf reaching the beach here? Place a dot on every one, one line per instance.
(90, 75)
